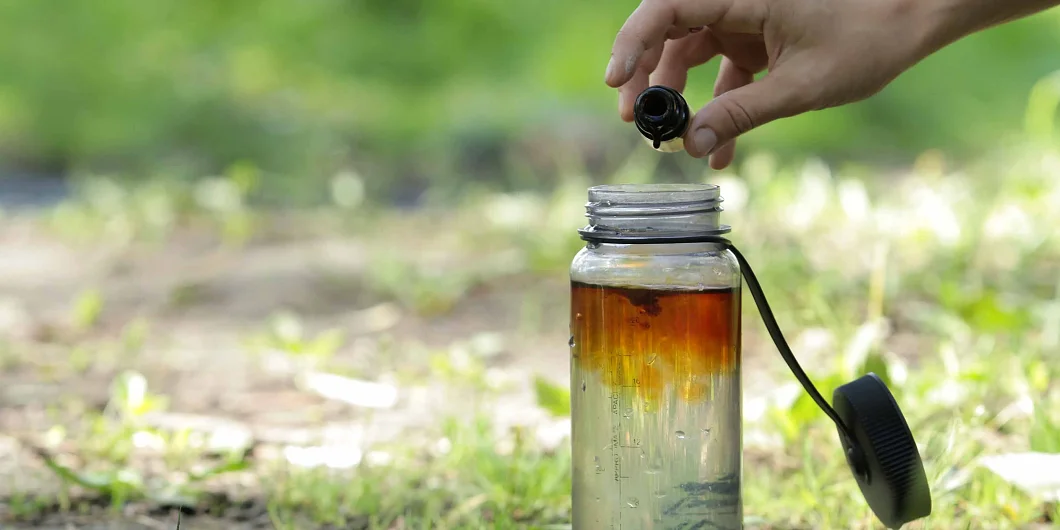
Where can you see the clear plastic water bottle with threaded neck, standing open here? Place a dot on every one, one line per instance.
(656, 365)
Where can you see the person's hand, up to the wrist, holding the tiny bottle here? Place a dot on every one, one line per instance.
(819, 55)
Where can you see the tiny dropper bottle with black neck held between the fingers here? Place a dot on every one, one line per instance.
(662, 116)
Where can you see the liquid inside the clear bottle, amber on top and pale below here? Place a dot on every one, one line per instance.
(657, 394)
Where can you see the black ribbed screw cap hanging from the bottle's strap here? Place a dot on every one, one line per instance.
(884, 455)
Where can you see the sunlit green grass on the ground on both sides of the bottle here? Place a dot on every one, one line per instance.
(943, 280)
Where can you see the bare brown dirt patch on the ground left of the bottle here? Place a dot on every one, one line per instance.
(202, 304)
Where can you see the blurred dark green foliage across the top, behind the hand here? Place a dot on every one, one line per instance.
(414, 93)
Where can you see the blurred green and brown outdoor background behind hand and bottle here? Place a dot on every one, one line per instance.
(175, 149)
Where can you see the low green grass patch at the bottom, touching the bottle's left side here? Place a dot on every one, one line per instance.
(463, 481)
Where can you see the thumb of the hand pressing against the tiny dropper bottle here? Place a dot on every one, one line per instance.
(743, 110)
